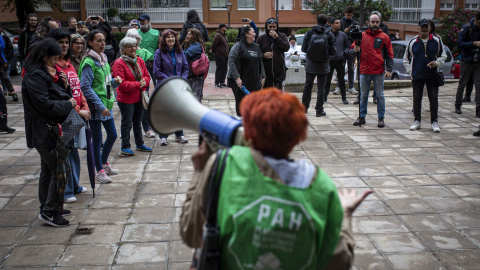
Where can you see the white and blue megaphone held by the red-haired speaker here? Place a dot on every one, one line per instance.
(173, 106)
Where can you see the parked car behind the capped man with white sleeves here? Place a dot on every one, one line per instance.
(399, 72)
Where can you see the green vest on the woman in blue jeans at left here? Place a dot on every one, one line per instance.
(102, 78)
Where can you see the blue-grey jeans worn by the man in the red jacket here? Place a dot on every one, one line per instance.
(365, 82)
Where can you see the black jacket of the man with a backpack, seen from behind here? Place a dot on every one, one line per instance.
(313, 67)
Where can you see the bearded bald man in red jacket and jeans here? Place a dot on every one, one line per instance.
(375, 50)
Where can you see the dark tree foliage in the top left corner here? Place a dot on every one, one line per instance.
(25, 7)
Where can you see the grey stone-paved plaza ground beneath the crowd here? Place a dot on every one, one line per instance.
(424, 213)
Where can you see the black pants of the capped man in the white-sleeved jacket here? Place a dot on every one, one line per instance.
(432, 91)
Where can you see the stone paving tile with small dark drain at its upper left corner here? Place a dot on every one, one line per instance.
(101, 234)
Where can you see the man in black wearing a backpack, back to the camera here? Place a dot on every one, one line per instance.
(319, 44)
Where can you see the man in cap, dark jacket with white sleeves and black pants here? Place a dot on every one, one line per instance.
(423, 56)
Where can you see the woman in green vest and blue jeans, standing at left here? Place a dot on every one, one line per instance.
(97, 86)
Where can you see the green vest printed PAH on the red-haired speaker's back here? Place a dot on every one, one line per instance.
(268, 225)
